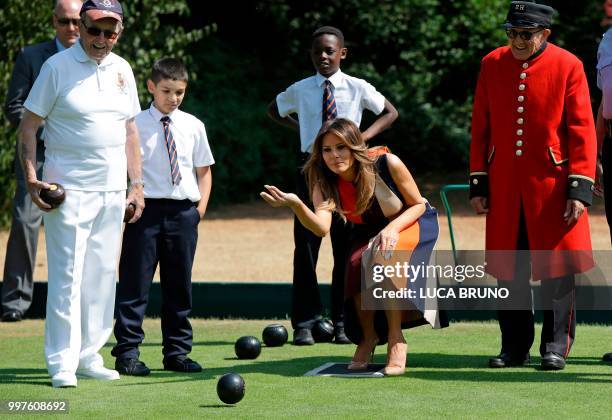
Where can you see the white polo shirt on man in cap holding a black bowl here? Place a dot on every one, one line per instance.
(86, 106)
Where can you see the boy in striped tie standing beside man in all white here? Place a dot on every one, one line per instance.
(176, 161)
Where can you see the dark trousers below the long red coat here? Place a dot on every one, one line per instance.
(557, 299)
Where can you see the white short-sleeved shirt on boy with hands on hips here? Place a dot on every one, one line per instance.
(305, 98)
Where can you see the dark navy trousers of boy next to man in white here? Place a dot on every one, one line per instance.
(167, 233)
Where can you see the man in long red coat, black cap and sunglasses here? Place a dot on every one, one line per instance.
(532, 168)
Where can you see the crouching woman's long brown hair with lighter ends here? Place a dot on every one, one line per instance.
(317, 172)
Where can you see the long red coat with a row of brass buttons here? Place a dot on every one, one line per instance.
(533, 140)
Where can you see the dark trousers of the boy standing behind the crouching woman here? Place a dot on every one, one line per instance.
(307, 307)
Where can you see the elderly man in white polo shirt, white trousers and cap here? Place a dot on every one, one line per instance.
(87, 97)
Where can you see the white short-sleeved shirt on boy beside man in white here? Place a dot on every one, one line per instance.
(192, 149)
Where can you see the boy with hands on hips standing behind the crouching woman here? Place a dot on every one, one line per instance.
(326, 95)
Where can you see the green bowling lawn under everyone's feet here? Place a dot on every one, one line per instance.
(446, 377)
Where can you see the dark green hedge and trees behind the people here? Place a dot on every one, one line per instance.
(423, 55)
